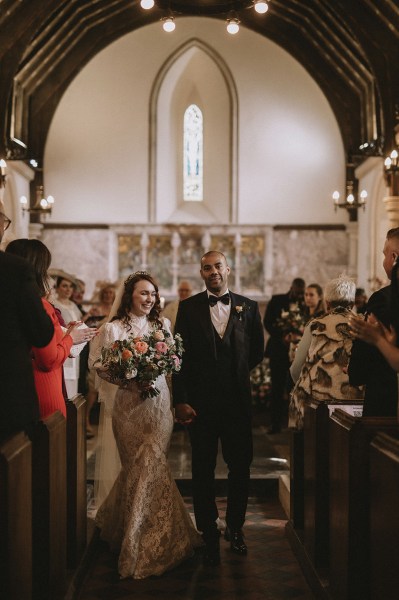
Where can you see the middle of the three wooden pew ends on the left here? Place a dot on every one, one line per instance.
(49, 508)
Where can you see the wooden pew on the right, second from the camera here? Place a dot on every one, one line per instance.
(350, 439)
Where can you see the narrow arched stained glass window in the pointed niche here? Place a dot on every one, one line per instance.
(193, 154)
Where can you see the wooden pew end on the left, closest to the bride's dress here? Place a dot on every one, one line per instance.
(76, 480)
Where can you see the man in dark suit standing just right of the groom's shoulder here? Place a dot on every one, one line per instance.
(277, 348)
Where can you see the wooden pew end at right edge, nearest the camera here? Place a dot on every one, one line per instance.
(384, 517)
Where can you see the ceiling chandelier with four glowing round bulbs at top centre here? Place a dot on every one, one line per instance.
(205, 7)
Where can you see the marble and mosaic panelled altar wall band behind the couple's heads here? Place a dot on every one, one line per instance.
(263, 259)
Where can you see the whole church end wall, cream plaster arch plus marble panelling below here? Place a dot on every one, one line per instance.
(287, 144)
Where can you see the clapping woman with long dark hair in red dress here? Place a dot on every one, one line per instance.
(47, 362)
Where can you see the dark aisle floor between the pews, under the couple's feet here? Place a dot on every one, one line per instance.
(269, 572)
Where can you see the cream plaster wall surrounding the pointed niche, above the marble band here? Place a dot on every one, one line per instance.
(290, 153)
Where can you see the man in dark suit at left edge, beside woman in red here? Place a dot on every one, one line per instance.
(24, 323)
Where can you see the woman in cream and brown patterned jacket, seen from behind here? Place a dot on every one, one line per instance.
(319, 367)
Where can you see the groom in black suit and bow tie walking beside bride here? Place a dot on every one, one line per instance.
(223, 340)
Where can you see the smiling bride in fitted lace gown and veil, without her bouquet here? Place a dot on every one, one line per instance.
(143, 517)
